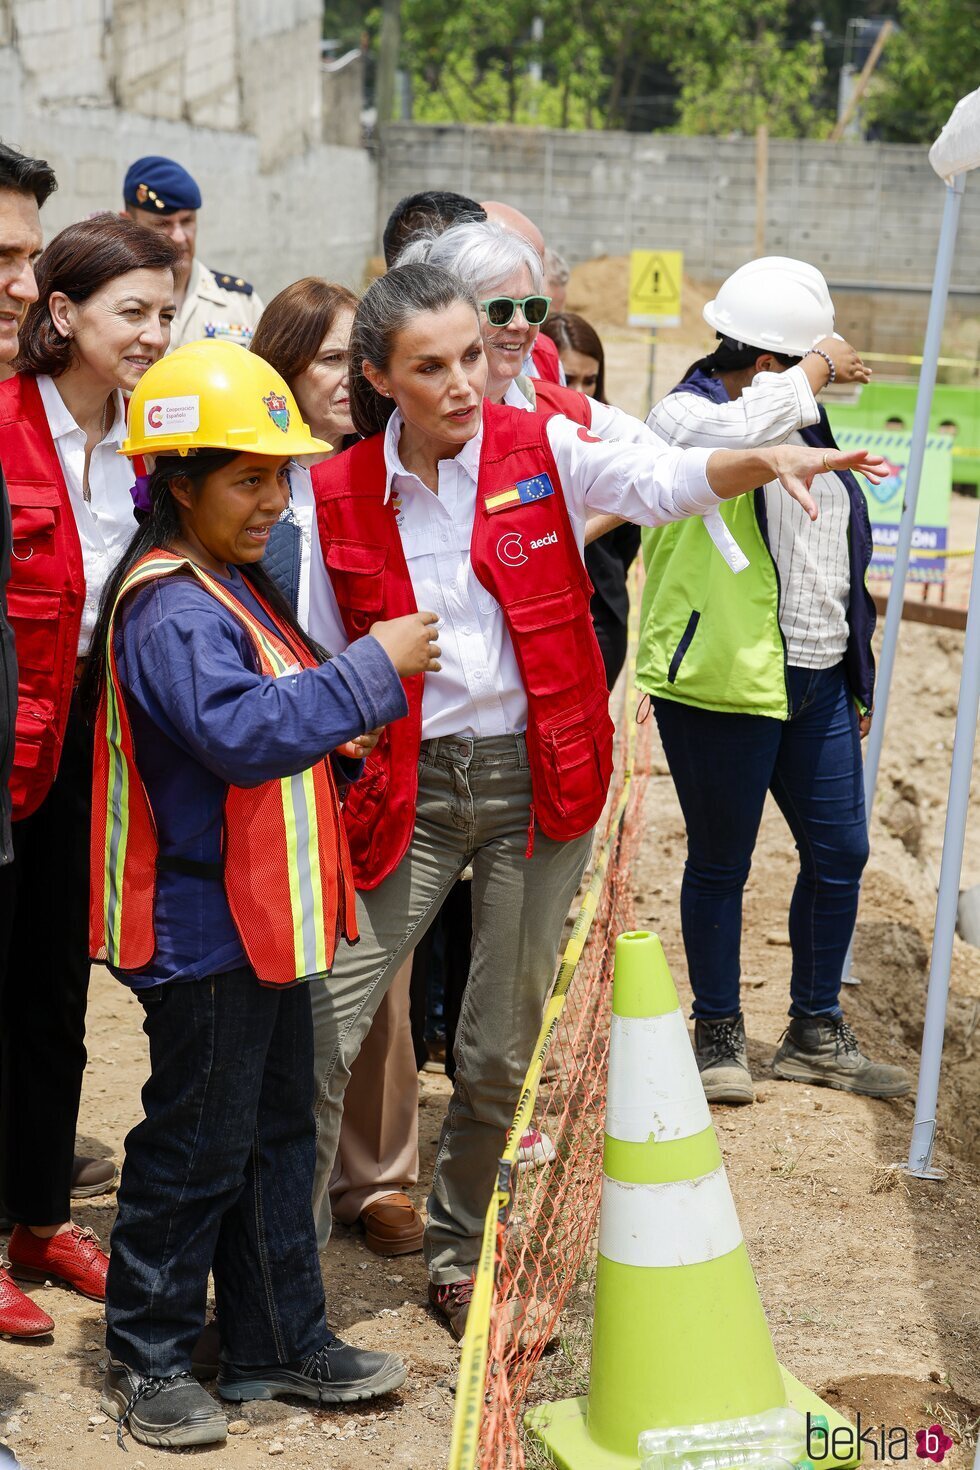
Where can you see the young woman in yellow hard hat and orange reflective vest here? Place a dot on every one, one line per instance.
(221, 880)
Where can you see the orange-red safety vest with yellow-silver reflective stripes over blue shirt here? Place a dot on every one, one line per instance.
(286, 864)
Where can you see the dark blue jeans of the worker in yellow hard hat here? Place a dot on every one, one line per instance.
(220, 1178)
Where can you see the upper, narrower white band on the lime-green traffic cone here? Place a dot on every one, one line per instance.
(655, 1084)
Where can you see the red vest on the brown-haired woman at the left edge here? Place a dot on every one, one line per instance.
(46, 593)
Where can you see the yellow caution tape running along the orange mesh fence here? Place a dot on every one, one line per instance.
(472, 1377)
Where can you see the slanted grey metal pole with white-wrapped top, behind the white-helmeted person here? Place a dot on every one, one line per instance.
(913, 477)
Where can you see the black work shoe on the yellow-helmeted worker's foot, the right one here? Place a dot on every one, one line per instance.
(337, 1374)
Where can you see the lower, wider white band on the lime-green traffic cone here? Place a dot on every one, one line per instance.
(669, 1225)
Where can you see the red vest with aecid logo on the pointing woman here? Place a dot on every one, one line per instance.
(525, 553)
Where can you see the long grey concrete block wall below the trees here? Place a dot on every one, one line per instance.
(862, 212)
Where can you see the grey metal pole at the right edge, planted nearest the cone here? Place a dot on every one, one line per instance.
(920, 1150)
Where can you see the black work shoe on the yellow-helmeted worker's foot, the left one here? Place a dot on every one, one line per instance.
(162, 1412)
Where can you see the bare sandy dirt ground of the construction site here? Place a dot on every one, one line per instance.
(869, 1278)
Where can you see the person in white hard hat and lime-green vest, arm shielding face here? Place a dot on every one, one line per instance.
(763, 680)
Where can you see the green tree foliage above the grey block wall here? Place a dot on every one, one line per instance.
(718, 67)
